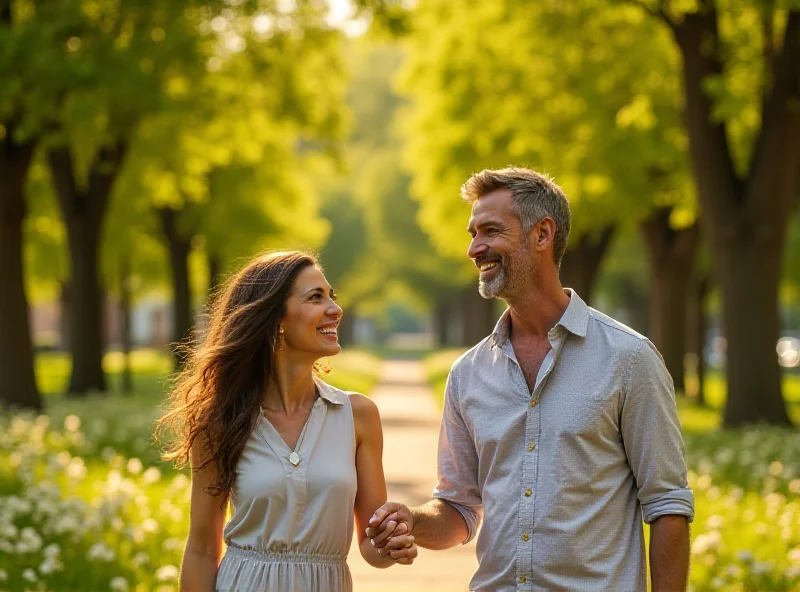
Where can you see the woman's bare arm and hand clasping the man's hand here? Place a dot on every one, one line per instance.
(372, 484)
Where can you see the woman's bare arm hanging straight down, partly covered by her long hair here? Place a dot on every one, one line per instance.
(204, 545)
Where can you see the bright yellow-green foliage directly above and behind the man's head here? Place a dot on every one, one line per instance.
(591, 97)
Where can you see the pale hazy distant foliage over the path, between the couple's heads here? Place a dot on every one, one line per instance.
(377, 251)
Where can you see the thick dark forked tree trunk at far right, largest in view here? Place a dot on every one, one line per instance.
(745, 218)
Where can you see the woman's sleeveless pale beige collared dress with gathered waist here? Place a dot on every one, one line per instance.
(292, 525)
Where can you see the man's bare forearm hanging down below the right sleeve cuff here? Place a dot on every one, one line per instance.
(669, 554)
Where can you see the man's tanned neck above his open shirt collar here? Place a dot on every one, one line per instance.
(537, 312)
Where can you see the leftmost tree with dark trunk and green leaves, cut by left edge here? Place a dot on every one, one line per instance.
(25, 102)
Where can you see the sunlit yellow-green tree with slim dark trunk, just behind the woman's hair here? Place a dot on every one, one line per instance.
(224, 168)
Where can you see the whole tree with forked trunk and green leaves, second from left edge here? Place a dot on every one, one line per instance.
(129, 58)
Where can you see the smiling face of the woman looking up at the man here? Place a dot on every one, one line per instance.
(312, 316)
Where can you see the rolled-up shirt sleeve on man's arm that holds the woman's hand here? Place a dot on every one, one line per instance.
(458, 462)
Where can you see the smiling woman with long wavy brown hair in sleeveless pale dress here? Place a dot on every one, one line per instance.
(296, 457)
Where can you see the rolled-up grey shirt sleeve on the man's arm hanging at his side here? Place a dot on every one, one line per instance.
(651, 434)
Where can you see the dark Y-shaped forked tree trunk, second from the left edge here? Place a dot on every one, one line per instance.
(84, 210)
